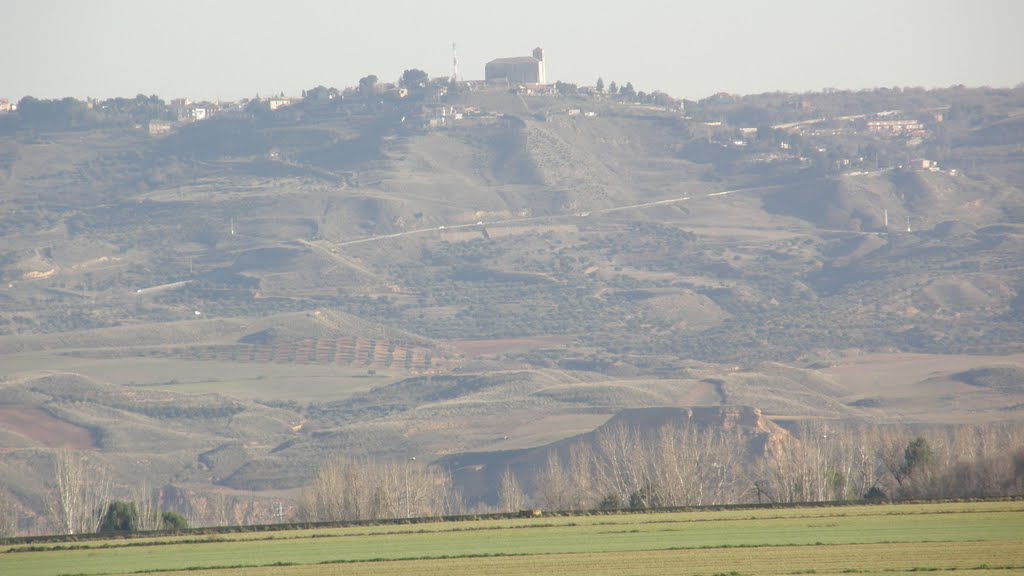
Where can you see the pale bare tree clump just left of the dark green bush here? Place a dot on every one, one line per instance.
(80, 495)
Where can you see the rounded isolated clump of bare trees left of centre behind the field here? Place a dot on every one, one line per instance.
(361, 489)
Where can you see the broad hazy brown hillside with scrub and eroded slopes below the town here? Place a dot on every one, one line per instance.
(218, 309)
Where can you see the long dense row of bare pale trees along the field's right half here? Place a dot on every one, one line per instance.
(682, 466)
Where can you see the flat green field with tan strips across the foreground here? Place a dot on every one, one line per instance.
(977, 539)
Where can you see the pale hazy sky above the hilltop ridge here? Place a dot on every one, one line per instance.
(228, 50)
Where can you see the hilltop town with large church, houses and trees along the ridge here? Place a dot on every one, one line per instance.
(839, 137)
